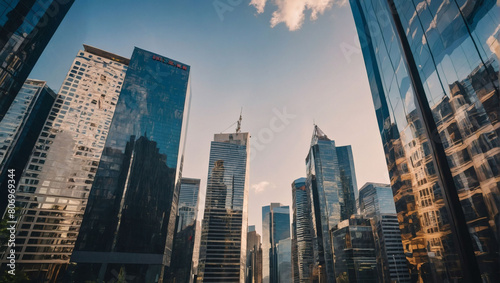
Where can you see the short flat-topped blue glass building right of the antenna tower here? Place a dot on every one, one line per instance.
(275, 227)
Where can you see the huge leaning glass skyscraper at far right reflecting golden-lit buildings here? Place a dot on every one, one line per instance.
(433, 69)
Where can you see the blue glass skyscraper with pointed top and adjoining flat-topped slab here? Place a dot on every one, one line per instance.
(331, 182)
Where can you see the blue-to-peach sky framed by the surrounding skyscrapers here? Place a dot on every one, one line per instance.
(287, 63)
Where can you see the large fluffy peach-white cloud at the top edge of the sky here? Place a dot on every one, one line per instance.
(292, 12)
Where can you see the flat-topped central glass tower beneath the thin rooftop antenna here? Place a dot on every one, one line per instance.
(224, 233)
